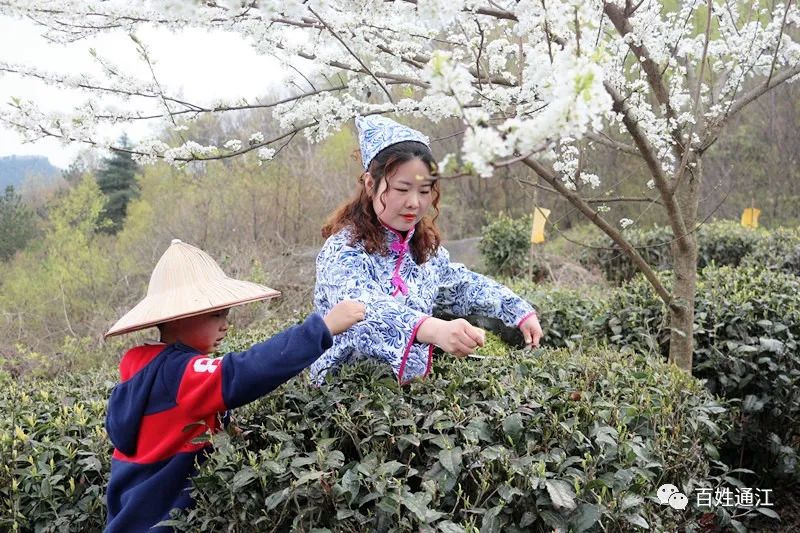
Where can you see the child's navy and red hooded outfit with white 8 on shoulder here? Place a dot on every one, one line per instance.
(170, 395)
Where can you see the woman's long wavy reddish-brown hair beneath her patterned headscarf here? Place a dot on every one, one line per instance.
(360, 218)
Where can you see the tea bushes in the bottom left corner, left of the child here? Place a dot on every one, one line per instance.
(56, 456)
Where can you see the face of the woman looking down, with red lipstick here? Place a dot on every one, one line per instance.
(403, 197)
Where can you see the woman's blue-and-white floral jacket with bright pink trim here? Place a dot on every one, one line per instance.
(399, 295)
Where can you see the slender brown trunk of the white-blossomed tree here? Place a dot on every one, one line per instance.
(684, 253)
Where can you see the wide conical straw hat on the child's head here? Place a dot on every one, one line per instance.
(187, 282)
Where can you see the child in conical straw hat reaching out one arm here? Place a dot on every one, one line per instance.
(172, 392)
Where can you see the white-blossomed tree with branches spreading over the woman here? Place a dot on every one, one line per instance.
(531, 80)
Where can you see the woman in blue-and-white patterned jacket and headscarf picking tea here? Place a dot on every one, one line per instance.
(384, 250)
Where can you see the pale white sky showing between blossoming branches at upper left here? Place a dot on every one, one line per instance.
(182, 61)
